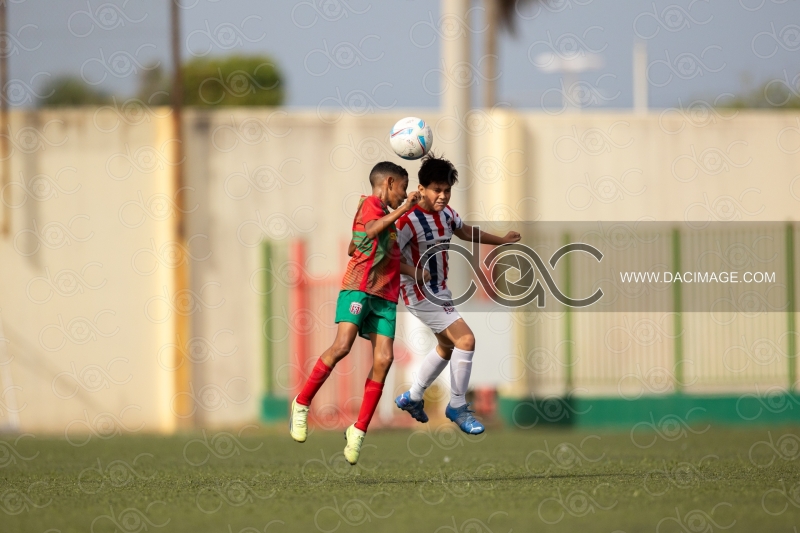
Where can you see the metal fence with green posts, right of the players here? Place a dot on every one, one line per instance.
(643, 352)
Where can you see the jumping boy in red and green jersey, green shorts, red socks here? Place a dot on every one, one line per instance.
(367, 304)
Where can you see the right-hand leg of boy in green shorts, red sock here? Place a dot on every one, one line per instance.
(380, 325)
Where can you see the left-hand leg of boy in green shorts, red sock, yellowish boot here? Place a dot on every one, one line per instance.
(348, 316)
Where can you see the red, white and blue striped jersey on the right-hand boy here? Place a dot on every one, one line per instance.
(417, 231)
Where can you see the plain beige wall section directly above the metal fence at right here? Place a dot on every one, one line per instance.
(669, 166)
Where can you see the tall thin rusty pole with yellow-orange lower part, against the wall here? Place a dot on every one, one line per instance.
(183, 371)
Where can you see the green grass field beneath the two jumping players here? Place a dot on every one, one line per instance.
(695, 480)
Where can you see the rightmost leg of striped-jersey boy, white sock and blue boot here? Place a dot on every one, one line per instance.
(458, 410)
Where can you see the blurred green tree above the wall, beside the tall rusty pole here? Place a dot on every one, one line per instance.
(225, 81)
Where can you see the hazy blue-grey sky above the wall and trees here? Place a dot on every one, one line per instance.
(387, 54)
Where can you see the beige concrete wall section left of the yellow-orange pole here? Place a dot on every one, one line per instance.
(89, 197)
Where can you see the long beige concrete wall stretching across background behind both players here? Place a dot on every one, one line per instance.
(267, 173)
